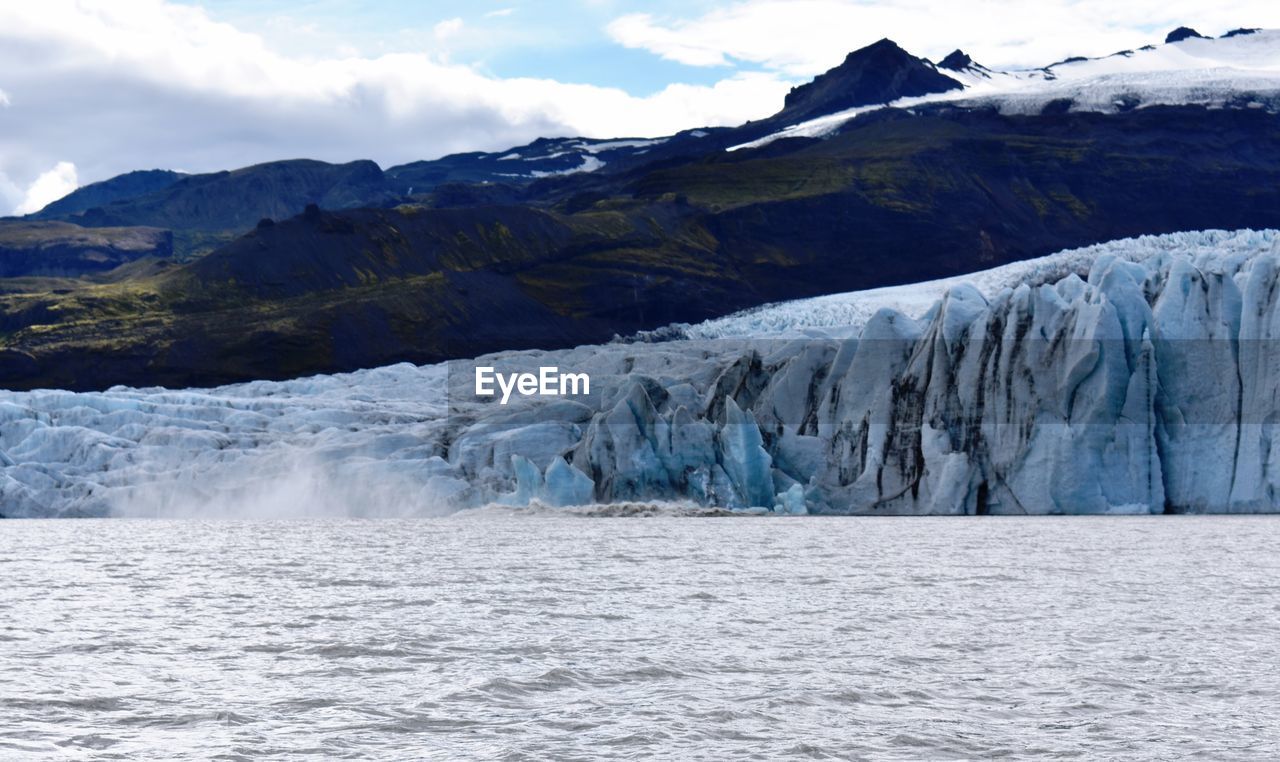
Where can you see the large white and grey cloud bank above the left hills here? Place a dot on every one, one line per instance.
(113, 86)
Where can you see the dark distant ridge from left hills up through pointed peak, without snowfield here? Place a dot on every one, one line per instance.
(236, 200)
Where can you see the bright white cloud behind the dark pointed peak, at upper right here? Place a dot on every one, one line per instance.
(806, 38)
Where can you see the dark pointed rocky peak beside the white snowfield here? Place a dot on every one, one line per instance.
(880, 74)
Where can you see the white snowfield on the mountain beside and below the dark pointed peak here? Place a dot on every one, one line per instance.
(1240, 70)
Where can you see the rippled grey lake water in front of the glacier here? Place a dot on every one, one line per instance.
(533, 637)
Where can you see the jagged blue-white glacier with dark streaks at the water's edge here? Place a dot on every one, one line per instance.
(1133, 377)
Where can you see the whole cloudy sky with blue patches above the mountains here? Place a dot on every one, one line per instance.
(92, 89)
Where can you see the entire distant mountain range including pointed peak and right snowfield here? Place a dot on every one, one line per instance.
(1236, 71)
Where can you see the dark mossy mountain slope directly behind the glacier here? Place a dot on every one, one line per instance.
(895, 198)
